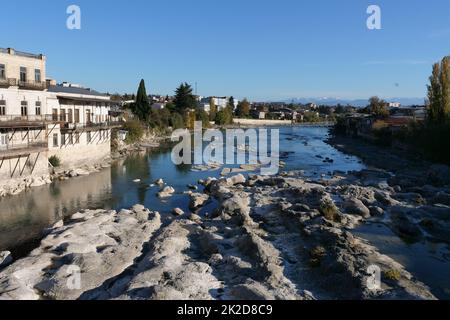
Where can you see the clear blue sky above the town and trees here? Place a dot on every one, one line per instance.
(260, 49)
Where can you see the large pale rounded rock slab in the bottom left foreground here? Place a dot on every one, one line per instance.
(94, 246)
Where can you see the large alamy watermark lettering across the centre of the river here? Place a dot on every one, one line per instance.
(234, 147)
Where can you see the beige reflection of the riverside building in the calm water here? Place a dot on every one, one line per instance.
(23, 217)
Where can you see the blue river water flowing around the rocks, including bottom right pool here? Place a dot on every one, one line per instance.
(24, 217)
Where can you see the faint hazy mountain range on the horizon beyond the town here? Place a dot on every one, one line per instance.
(356, 102)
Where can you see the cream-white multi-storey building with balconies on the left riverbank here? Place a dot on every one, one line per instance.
(39, 119)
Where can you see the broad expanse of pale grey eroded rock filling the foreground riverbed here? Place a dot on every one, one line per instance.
(283, 237)
